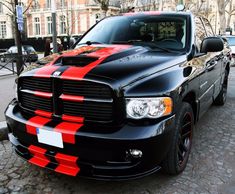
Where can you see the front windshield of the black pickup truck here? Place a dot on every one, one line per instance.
(152, 31)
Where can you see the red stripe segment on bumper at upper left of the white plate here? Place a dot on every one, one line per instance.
(35, 122)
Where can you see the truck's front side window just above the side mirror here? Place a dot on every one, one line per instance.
(200, 33)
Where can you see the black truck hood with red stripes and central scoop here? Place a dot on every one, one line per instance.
(122, 64)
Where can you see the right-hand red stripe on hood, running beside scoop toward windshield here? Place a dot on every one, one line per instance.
(78, 73)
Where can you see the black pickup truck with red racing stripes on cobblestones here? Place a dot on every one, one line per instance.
(123, 102)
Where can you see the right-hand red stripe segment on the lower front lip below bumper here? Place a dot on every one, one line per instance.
(67, 164)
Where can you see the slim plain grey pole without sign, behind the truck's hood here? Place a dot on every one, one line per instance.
(54, 32)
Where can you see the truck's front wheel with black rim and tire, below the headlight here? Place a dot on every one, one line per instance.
(177, 157)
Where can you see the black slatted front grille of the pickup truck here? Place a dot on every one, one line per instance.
(97, 107)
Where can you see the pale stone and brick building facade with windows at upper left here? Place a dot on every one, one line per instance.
(74, 17)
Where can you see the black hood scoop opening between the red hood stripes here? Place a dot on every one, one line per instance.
(77, 61)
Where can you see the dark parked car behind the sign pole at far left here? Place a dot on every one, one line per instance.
(29, 54)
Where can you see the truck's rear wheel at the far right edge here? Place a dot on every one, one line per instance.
(221, 98)
